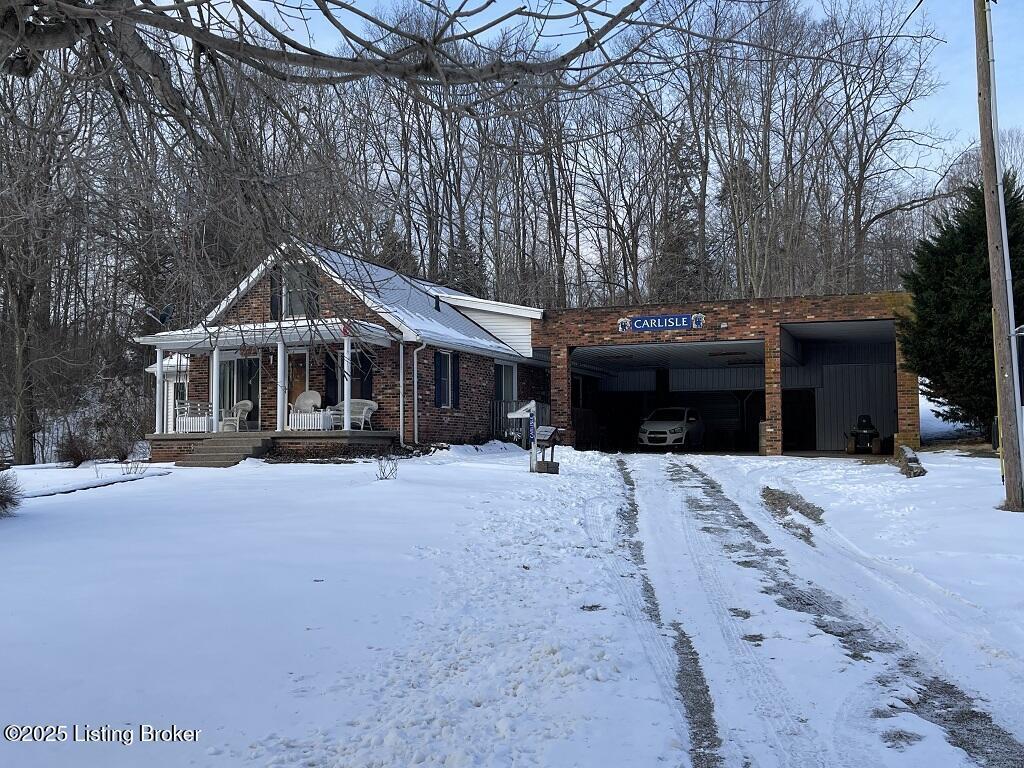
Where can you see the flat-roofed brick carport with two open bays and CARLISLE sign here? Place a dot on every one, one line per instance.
(813, 364)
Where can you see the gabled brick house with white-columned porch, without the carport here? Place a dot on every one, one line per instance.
(433, 360)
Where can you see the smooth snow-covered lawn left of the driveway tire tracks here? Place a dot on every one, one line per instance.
(306, 615)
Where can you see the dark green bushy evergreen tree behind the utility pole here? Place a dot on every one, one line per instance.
(949, 342)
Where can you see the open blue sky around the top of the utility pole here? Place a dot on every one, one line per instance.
(955, 108)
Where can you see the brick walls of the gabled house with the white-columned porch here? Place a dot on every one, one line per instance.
(466, 419)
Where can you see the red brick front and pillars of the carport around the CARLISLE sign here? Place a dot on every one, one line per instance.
(563, 330)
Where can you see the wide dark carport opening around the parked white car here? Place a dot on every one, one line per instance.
(618, 387)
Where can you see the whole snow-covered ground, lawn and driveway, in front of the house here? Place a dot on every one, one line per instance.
(630, 612)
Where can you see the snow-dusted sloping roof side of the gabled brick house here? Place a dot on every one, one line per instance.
(416, 307)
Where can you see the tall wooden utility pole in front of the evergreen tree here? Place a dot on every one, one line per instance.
(1004, 336)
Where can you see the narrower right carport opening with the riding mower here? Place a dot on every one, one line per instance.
(833, 373)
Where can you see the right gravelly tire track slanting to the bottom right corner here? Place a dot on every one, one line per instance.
(917, 690)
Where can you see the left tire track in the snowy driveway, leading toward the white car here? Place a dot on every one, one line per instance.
(669, 651)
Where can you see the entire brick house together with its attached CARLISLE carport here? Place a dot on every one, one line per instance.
(774, 375)
